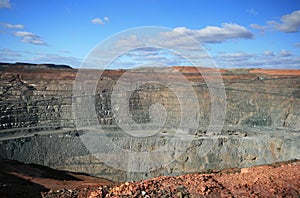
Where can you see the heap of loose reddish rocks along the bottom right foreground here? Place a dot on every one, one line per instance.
(281, 180)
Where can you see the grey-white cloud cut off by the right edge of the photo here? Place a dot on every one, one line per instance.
(288, 23)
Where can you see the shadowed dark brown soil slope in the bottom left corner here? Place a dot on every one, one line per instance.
(30, 180)
